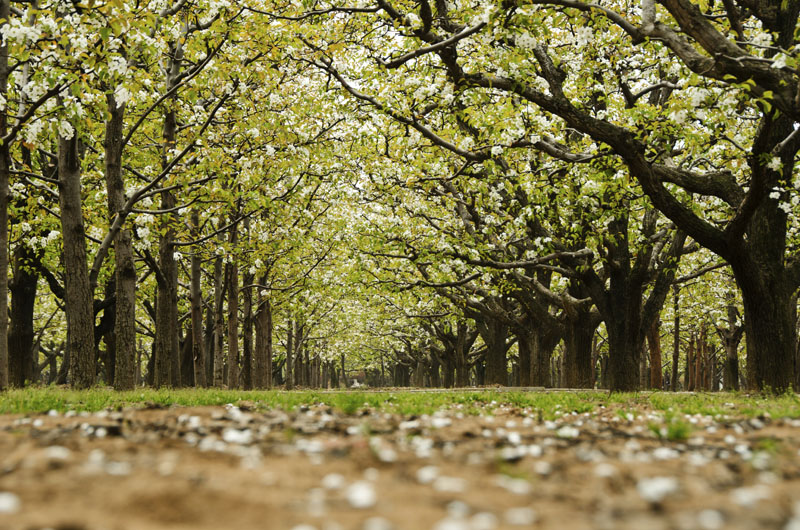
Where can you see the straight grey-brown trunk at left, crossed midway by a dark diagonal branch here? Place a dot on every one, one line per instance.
(125, 269)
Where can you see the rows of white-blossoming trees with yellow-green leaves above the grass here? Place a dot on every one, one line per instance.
(248, 194)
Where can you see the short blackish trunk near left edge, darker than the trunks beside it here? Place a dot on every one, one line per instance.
(22, 358)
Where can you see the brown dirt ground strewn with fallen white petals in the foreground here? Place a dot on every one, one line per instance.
(236, 467)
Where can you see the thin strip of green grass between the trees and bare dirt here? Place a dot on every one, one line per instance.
(546, 405)
